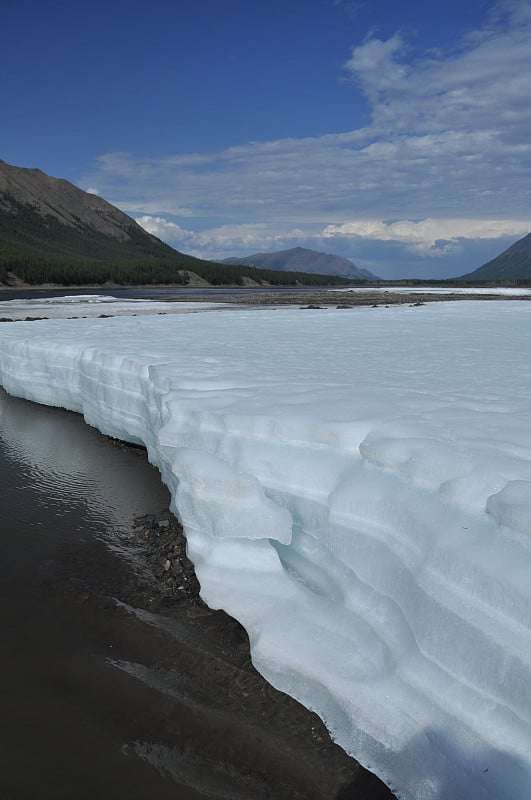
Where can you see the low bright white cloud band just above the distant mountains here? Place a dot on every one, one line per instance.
(384, 247)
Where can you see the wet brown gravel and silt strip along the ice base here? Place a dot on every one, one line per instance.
(276, 744)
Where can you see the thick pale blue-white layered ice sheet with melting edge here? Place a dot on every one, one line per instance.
(356, 490)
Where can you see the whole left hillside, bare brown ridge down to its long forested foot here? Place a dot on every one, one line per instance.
(53, 232)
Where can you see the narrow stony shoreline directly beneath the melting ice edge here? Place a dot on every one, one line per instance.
(302, 735)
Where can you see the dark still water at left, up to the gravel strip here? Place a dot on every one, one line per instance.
(65, 717)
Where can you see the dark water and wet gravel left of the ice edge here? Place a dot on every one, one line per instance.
(116, 680)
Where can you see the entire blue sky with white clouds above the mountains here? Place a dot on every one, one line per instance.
(397, 134)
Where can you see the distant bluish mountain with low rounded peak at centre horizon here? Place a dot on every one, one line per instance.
(302, 260)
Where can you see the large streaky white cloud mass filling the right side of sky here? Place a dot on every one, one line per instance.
(448, 139)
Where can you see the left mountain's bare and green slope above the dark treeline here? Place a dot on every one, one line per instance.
(50, 217)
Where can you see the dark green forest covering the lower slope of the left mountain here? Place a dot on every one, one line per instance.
(39, 249)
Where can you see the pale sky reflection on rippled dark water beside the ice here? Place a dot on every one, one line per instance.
(64, 461)
